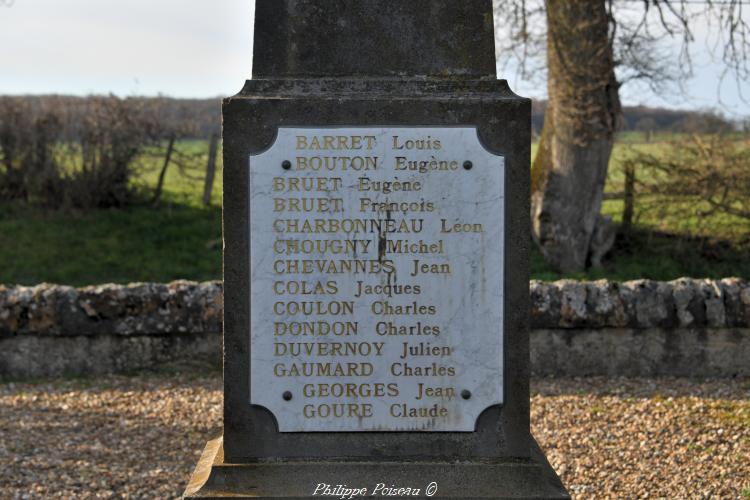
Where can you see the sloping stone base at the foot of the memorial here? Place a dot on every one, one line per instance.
(532, 478)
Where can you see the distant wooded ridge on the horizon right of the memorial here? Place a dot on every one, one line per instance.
(646, 119)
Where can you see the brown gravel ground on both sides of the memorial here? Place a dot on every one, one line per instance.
(140, 436)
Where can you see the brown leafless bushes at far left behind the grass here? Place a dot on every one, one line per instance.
(77, 154)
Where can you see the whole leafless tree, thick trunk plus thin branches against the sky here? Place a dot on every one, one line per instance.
(589, 49)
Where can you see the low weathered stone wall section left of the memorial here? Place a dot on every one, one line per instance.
(51, 330)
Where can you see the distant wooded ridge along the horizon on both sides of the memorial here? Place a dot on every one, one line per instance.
(200, 118)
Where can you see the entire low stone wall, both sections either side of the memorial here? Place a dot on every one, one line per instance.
(639, 328)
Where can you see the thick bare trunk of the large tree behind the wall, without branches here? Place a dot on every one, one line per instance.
(570, 167)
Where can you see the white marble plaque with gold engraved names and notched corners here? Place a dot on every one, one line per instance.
(376, 261)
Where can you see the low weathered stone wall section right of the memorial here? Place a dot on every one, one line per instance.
(698, 328)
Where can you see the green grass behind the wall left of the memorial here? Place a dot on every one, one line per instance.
(181, 239)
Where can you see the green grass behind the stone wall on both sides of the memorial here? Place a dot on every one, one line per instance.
(181, 239)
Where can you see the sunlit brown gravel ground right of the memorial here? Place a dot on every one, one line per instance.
(646, 438)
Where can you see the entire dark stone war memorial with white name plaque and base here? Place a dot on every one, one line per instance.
(376, 261)
